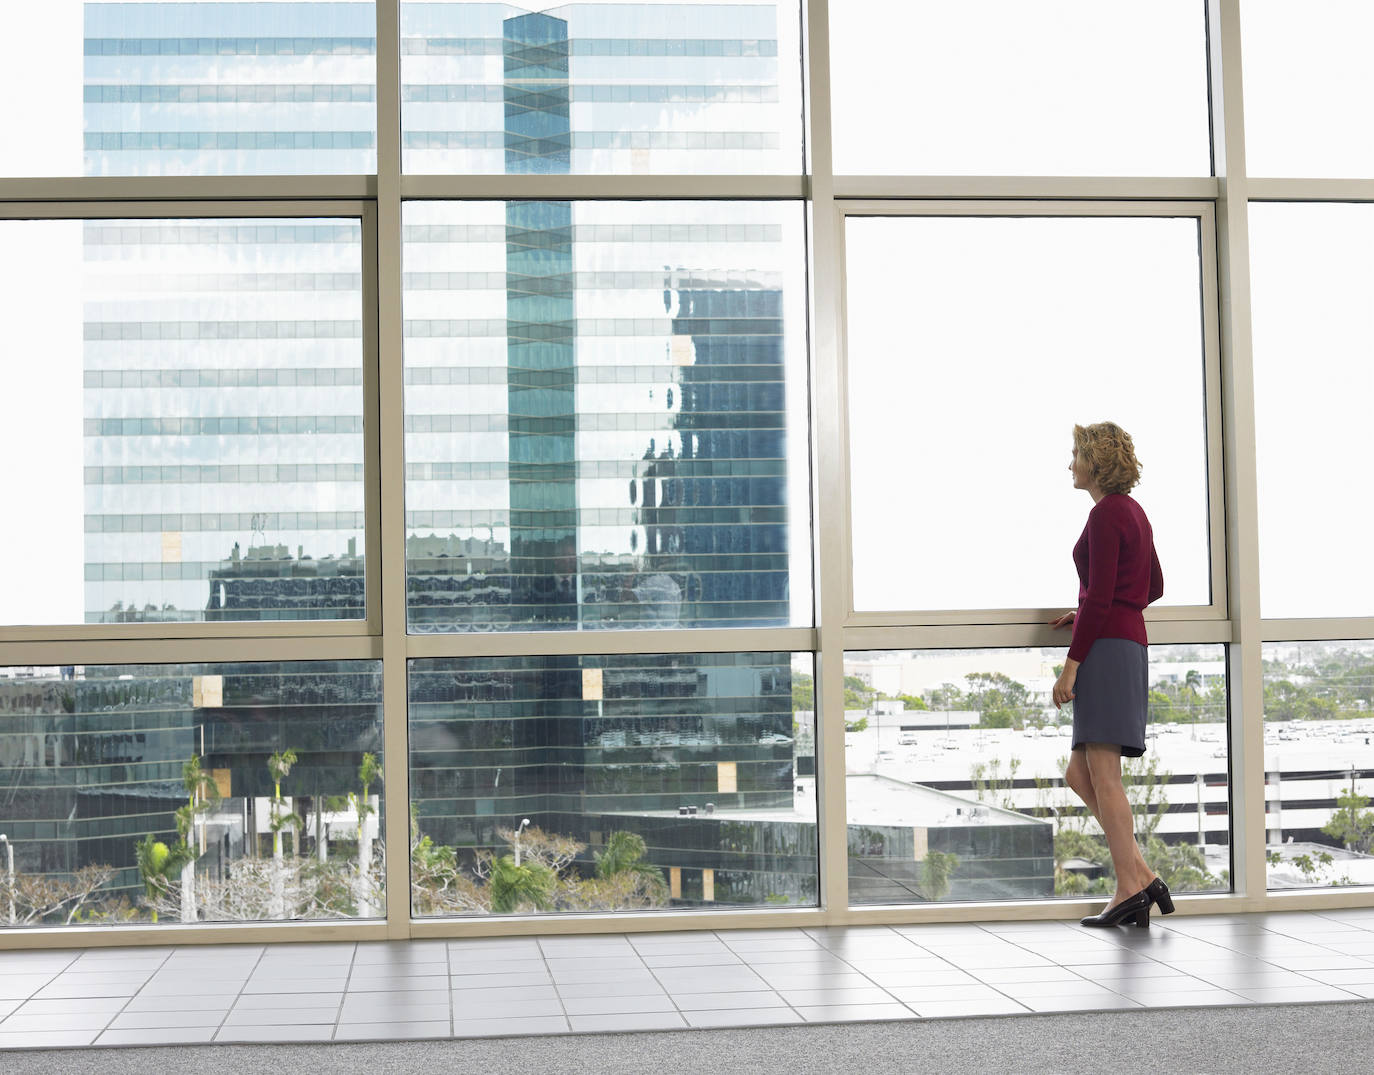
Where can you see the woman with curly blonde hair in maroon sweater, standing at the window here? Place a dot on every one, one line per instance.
(1107, 673)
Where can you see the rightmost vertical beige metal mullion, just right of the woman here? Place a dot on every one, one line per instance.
(1241, 464)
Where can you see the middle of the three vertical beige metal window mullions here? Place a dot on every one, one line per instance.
(829, 518)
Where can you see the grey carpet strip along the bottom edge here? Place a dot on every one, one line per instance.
(1270, 1039)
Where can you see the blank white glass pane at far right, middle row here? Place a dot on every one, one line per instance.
(1314, 379)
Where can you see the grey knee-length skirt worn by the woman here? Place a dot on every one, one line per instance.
(1111, 696)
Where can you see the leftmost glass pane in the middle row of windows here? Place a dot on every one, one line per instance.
(194, 428)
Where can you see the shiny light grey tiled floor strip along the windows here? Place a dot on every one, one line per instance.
(438, 989)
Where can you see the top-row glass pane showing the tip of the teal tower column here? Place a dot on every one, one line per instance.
(609, 87)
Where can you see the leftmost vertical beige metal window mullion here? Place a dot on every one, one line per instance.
(391, 471)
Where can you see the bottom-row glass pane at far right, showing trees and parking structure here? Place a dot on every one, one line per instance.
(1320, 764)
